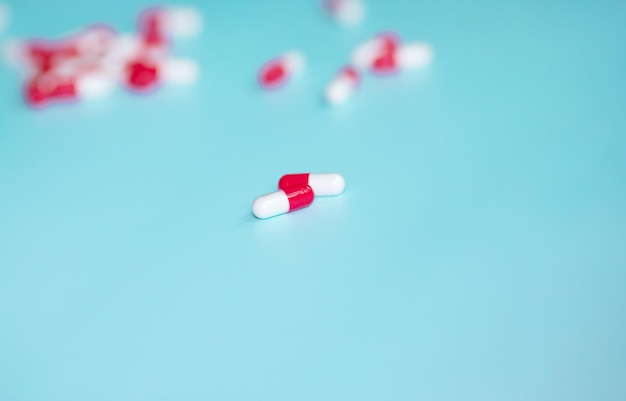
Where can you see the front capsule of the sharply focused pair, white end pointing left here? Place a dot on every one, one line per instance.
(285, 200)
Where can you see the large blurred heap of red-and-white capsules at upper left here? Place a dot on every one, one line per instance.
(91, 62)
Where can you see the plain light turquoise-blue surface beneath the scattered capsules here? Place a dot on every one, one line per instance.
(478, 253)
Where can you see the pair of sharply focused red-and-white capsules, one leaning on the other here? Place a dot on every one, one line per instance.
(297, 191)
